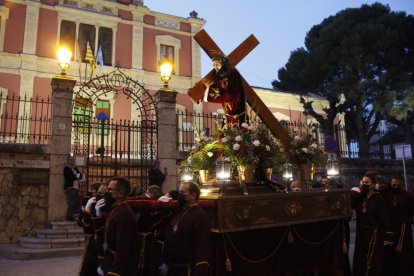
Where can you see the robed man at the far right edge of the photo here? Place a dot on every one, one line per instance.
(400, 260)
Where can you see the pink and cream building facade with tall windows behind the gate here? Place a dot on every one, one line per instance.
(129, 35)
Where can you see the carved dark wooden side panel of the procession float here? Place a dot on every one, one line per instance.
(256, 211)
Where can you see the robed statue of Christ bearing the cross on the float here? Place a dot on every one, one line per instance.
(226, 88)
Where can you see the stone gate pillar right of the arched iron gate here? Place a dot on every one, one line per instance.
(167, 136)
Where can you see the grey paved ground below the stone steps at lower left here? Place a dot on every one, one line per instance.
(68, 266)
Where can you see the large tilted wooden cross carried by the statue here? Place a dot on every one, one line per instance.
(211, 48)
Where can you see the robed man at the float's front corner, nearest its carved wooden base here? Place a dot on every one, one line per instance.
(187, 238)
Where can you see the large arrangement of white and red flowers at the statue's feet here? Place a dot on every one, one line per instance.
(247, 146)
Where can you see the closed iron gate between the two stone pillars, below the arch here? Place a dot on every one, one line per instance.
(115, 147)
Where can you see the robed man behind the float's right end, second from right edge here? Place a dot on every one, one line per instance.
(373, 229)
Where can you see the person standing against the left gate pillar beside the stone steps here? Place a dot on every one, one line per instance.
(71, 189)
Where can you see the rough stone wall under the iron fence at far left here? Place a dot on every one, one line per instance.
(24, 181)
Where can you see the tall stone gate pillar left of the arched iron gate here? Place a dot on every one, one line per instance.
(60, 144)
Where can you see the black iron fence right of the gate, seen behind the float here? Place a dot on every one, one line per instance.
(189, 122)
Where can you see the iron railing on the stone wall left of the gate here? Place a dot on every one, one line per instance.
(24, 119)
